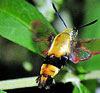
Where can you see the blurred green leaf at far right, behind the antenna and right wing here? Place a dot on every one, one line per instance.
(92, 9)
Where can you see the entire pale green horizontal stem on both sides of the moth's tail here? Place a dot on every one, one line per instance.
(31, 81)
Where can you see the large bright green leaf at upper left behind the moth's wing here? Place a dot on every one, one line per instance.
(15, 19)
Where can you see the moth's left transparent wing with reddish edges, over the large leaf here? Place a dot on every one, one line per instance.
(42, 37)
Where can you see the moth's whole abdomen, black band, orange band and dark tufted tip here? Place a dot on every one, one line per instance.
(49, 69)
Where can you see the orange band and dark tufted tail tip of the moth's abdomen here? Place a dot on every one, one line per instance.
(46, 76)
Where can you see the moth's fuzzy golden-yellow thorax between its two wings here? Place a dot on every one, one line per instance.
(61, 44)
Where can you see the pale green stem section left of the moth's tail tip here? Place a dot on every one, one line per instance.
(18, 83)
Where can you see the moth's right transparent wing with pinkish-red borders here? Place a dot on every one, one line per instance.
(83, 50)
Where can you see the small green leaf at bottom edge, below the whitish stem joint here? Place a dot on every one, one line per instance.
(81, 89)
